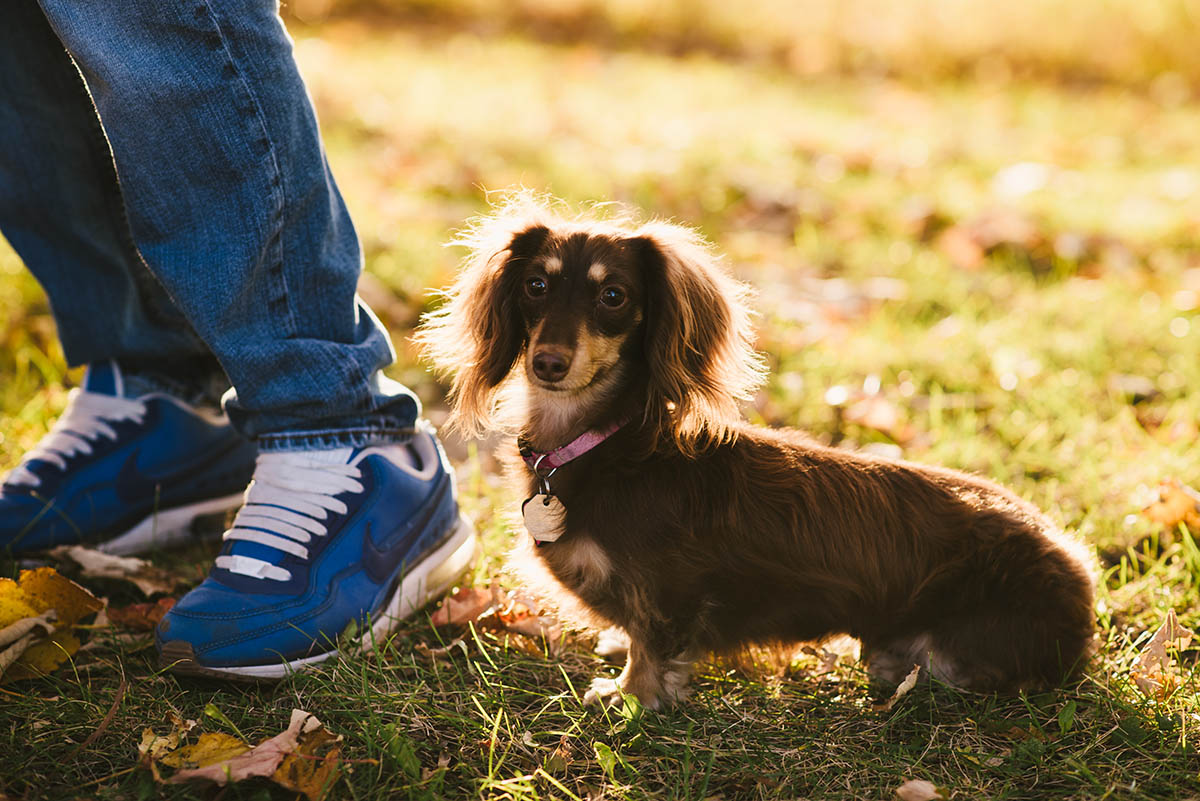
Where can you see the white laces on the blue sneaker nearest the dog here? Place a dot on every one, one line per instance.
(286, 507)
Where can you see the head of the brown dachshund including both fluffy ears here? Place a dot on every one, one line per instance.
(595, 315)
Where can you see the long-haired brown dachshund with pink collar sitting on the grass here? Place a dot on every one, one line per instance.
(697, 532)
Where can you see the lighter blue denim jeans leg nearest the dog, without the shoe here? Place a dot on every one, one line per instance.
(233, 207)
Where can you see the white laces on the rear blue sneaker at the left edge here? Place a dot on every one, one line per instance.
(87, 419)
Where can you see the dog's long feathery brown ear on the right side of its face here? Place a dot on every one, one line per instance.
(698, 339)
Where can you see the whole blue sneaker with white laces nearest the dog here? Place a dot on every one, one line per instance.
(332, 546)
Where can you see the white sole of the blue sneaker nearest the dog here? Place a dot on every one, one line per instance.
(429, 580)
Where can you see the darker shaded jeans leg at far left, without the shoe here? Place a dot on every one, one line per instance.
(61, 208)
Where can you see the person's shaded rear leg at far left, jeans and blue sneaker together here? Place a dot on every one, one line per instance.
(130, 463)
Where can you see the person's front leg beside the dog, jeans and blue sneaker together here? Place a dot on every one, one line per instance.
(352, 519)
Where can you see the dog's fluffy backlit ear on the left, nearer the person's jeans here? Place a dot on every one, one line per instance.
(478, 335)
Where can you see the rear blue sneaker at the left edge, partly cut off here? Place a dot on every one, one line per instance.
(123, 474)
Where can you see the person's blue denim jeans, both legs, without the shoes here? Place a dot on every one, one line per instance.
(163, 176)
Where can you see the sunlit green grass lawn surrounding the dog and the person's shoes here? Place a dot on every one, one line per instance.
(815, 189)
